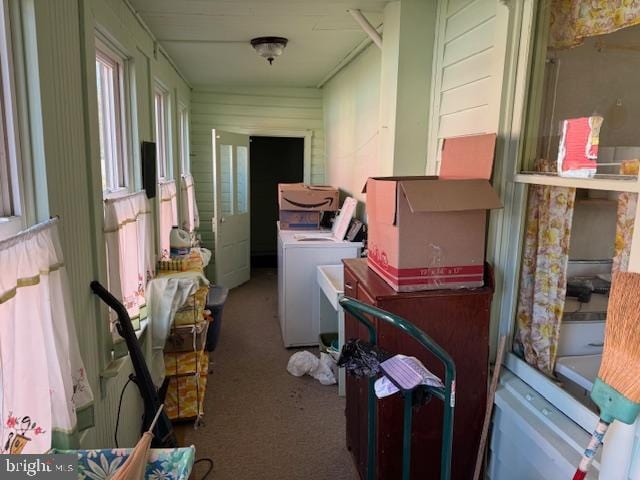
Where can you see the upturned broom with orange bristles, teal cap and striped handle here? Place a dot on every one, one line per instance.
(617, 389)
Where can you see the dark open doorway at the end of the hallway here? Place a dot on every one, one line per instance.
(273, 160)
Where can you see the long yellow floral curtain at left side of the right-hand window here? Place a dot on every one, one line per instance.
(543, 280)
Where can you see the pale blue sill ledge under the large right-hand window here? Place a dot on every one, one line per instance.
(553, 393)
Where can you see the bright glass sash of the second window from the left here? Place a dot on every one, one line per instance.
(110, 83)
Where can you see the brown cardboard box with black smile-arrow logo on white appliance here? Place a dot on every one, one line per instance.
(301, 197)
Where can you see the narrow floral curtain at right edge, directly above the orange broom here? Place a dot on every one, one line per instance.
(627, 204)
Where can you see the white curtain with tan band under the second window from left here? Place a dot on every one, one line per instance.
(128, 231)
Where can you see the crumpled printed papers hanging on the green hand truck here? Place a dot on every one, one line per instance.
(401, 371)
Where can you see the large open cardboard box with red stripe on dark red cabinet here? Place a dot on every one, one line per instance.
(426, 233)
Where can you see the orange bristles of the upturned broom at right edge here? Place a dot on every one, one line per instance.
(620, 367)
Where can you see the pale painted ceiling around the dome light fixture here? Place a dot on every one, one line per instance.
(209, 39)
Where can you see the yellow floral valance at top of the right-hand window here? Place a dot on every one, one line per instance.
(574, 20)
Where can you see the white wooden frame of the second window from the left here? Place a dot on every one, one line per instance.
(118, 164)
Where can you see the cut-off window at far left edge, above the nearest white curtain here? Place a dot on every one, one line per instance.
(13, 207)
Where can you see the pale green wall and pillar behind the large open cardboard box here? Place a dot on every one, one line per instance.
(376, 109)
